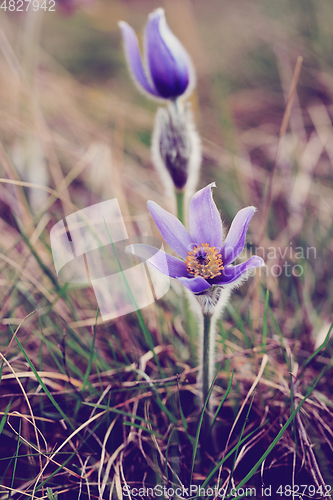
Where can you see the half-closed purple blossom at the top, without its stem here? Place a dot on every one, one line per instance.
(168, 69)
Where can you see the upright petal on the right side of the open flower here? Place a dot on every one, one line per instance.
(235, 241)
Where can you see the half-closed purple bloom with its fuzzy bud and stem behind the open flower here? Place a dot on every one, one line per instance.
(166, 73)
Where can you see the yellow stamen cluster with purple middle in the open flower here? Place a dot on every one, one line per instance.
(204, 261)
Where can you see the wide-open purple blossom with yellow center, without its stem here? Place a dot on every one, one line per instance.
(205, 258)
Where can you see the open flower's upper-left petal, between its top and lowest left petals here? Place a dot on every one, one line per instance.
(171, 229)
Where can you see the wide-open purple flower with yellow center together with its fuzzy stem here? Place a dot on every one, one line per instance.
(204, 267)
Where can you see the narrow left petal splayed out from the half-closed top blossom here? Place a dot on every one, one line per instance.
(134, 60)
